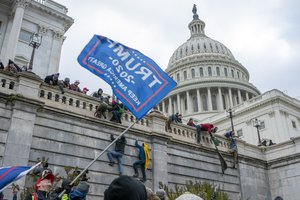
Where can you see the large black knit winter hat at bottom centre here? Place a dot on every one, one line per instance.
(125, 188)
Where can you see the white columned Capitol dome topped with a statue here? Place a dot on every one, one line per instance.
(209, 78)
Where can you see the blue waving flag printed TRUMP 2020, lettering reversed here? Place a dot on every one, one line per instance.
(135, 79)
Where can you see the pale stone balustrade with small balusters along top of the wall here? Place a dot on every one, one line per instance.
(84, 105)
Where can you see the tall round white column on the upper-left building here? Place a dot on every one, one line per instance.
(20, 6)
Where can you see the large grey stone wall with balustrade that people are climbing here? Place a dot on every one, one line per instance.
(44, 123)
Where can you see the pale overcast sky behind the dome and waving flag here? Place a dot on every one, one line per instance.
(264, 36)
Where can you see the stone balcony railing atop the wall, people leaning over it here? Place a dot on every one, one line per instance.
(31, 86)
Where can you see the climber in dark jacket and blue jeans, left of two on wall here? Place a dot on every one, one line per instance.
(117, 153)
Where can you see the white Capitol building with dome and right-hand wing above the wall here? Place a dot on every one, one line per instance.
(211, 81)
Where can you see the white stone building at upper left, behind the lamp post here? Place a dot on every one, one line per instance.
(19, 19)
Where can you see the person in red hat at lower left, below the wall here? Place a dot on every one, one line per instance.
(42, 187)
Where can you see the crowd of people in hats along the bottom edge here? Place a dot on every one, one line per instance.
(121, 188)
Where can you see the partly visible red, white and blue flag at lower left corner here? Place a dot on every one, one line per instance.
(9, 175)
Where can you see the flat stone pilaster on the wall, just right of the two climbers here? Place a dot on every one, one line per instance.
(159, 150)
